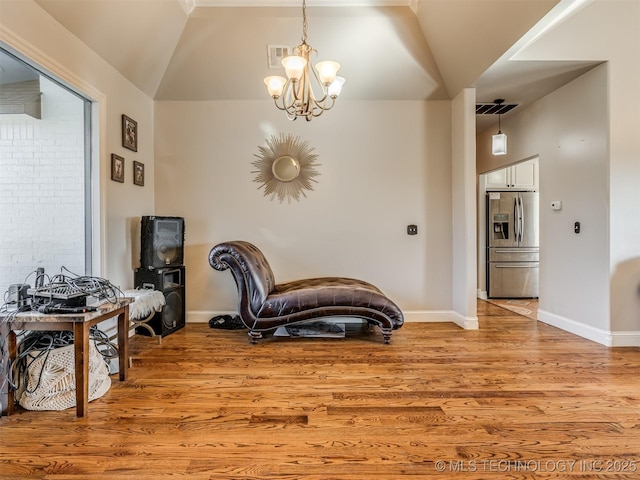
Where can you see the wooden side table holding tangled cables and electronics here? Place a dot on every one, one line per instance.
(79, 323)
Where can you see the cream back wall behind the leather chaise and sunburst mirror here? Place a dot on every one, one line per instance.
(383, 165)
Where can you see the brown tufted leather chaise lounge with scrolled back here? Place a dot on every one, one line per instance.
(264, 305)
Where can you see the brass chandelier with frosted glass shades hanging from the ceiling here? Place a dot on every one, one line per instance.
(295, 94)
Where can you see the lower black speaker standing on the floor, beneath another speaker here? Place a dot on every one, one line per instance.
(170, 281)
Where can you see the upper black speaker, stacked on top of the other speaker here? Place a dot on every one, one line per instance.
(161, 241)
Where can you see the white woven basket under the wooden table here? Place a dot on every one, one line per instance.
(57, 389)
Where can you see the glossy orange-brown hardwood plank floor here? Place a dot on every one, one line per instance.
(515, 399)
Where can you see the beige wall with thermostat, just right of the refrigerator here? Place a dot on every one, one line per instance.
(570, 136)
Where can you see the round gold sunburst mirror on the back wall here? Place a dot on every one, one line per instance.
(286, 167)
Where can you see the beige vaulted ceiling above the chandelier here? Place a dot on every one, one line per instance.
(388, 49)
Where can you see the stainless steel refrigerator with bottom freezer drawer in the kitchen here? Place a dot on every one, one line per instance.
(512, 244)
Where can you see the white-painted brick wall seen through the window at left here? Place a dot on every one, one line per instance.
(42, 206)
